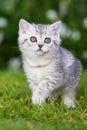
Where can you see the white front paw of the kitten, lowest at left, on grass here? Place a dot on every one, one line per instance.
(38, 99)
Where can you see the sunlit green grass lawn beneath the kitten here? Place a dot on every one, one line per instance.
(18, 113)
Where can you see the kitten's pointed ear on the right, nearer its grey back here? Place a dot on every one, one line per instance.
(56, 27)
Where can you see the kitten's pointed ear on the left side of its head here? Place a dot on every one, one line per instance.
(24, 26)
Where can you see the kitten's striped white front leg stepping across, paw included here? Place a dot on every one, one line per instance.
(43, 91)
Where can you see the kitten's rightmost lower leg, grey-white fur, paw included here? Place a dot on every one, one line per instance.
(69, 95)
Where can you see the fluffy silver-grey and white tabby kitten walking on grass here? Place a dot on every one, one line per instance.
(48, 66)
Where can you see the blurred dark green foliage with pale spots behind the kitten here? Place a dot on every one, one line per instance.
(73, 13)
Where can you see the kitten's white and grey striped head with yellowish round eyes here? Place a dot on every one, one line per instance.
(37, 38)
